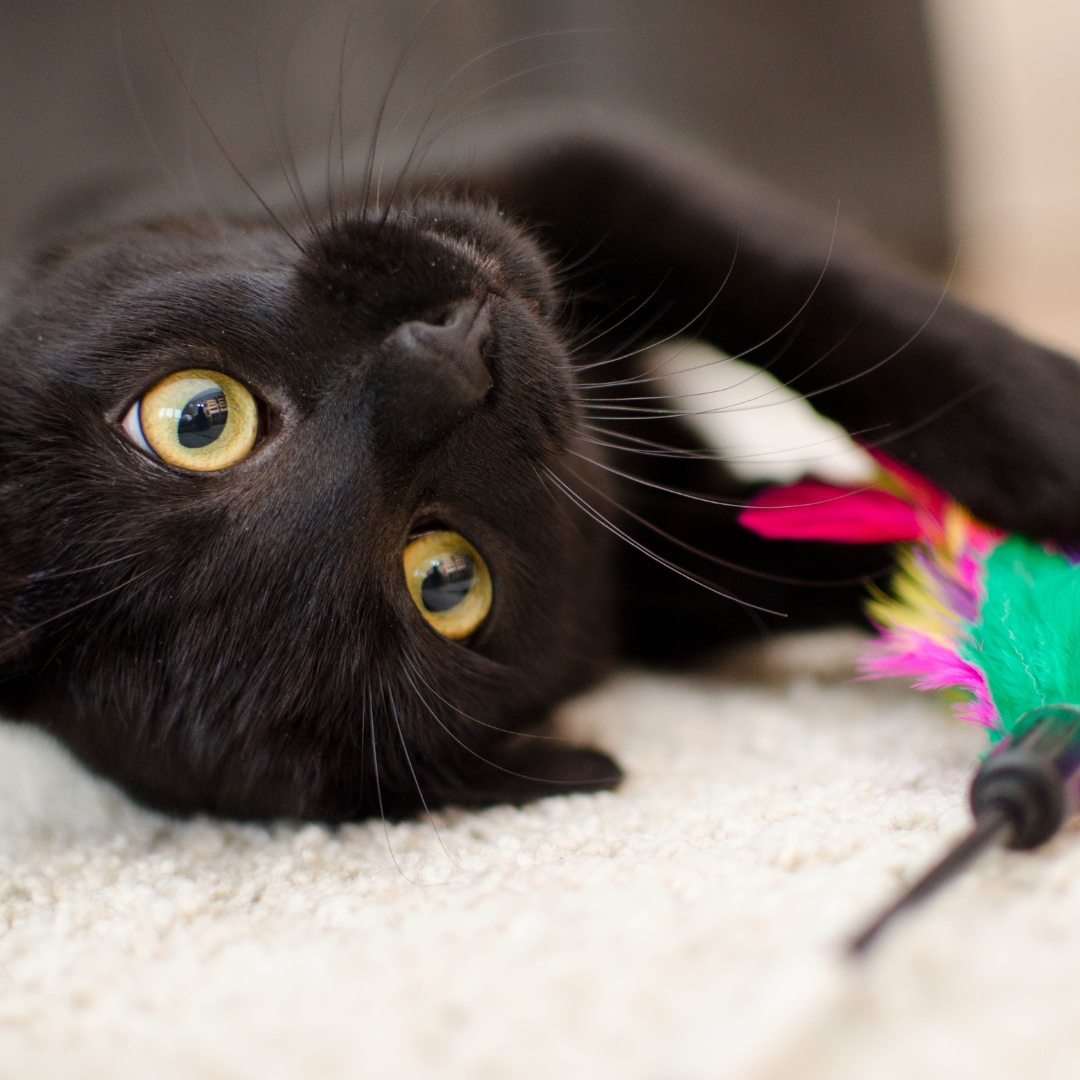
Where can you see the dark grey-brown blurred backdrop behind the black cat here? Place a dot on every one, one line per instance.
(832, 100)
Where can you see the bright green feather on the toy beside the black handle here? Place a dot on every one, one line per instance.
(1028, 641)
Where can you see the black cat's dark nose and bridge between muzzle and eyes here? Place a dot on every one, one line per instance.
(431, 376)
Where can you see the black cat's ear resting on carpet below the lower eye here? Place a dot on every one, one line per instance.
(534, 768)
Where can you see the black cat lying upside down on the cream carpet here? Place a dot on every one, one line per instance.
(323, 518)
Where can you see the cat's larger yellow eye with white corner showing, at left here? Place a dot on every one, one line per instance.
(197, 420)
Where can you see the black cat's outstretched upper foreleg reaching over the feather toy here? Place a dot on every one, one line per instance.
(669, 240)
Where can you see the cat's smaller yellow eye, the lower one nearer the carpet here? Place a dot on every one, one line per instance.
(449, 583)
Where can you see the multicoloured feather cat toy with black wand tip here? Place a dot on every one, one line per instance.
(993, 618)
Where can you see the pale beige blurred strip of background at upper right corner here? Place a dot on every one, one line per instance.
(1010, 77)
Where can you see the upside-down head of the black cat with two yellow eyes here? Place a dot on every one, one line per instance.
(280, 534)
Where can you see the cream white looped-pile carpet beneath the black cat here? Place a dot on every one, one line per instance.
(684, 927)
